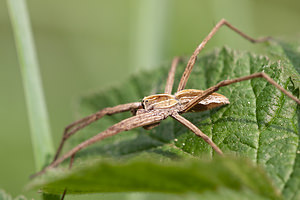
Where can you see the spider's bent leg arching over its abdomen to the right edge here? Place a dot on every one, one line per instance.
(215, 88)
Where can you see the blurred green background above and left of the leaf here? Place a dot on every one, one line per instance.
(91, 45)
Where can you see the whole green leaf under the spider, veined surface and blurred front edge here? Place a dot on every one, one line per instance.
(260, 124)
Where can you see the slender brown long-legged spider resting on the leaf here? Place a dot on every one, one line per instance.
(155, 108)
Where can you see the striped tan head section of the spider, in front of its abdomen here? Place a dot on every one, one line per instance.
(159, 101)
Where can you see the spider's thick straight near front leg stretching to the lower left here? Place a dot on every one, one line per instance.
(124, 125)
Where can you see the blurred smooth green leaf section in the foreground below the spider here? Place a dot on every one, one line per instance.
(168, 177)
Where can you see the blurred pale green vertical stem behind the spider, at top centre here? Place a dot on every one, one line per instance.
(149, 33)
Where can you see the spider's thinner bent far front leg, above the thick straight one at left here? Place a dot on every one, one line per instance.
(79, 124)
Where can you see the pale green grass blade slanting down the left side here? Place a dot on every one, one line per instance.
(37, 112)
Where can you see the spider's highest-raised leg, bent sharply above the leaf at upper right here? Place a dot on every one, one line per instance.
(193, 58)
